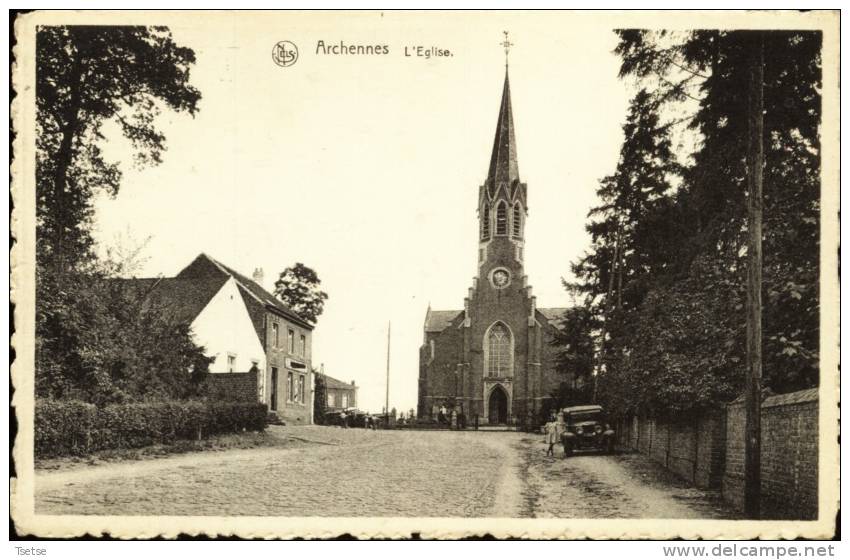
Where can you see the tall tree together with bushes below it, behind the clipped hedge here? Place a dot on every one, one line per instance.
(95, 340)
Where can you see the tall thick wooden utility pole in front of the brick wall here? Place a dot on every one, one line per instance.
(755, 179)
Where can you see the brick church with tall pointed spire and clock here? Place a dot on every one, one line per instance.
(493, 360)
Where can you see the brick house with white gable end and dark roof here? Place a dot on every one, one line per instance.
(241, 326)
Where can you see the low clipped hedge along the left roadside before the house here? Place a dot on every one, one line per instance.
(79, 428)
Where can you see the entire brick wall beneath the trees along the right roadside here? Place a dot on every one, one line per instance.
(708, 451)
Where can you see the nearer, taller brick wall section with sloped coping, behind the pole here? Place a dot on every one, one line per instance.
(789, 459)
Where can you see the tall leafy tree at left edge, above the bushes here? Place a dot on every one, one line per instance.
(86, 76)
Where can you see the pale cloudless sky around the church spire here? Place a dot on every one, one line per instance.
(367, 168)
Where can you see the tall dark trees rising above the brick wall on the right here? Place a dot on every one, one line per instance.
(666, 273)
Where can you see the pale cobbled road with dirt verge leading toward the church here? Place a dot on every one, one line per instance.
(335, 472)
